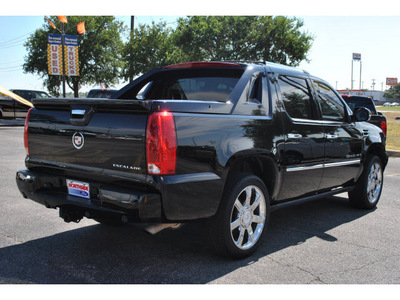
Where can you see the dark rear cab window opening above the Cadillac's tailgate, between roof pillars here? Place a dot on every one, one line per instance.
(209, 84)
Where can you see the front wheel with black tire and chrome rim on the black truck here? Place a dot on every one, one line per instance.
(368, 188)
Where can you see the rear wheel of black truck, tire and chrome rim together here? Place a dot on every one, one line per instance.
(241, 222)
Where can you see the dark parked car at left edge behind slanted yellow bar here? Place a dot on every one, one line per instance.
(10, 108)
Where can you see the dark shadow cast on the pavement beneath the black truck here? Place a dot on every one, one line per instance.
(104, 254)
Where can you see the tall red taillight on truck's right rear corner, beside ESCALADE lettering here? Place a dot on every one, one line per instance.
(161, 144)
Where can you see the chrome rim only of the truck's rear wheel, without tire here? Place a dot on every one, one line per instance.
(248, 217)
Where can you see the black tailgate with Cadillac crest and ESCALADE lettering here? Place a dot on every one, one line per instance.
(96, 133)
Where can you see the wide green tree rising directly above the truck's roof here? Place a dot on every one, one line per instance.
(277, 39)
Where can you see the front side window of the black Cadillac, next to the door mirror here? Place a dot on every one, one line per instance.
(332, 108)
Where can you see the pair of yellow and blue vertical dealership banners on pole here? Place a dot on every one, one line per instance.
(55, 55)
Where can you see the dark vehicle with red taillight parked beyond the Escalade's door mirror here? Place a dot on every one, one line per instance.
(377, 118)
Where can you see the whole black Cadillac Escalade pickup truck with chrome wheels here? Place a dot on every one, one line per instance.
(219, 142)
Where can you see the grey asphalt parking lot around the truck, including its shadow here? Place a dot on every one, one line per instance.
(319, 242)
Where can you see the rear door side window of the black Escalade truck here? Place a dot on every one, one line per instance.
(296, 95)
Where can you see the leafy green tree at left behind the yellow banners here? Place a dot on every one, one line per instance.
(99, 52)
